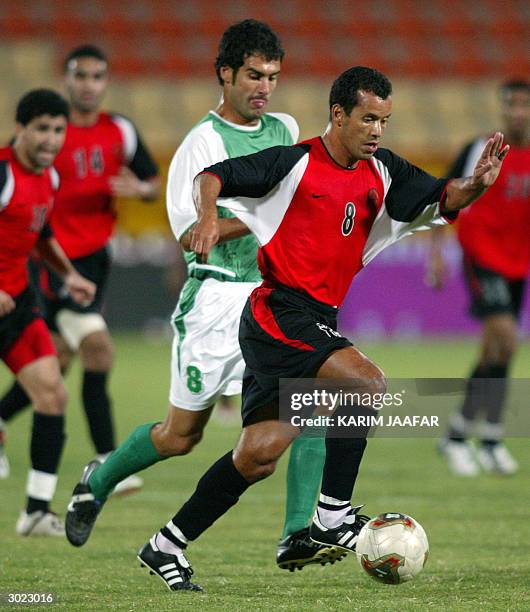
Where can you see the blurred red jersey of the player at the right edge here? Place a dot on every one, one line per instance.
(495, 231)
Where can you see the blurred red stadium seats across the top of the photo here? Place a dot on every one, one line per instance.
(410, 38)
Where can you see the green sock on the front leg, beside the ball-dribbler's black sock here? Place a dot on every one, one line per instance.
(304, 475)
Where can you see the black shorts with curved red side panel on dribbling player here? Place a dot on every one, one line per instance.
(283, 334)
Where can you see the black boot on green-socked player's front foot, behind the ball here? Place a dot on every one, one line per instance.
(298, 550)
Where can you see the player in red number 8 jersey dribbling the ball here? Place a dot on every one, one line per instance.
(320, 210)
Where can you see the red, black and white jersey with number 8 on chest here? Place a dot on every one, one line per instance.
(319, 223)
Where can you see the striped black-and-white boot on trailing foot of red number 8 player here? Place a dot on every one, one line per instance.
(174, 570)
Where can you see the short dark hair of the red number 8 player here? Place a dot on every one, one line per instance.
(344, 89)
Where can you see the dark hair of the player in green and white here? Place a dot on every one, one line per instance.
(248, 37)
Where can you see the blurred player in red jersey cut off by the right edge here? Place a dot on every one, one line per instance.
(495, 238)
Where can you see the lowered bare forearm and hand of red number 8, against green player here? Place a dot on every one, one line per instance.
(205, 233)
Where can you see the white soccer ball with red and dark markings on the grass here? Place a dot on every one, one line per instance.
(392, 548)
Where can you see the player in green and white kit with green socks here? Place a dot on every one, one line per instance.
(206, 357)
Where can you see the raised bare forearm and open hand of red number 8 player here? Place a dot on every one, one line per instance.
(464, 191)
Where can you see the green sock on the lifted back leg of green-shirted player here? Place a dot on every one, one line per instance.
(135, 454)
